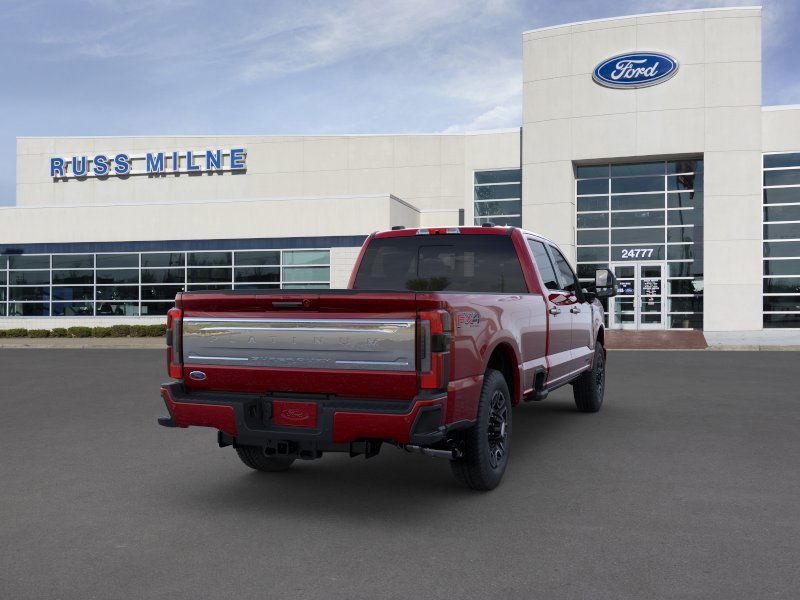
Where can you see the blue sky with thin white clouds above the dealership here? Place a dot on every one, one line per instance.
(162, 67)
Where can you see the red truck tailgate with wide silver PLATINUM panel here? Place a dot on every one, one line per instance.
(338, 342)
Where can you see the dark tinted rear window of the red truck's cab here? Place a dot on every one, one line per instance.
(436, 263)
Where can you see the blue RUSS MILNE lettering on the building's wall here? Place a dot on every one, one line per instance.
(151, 163)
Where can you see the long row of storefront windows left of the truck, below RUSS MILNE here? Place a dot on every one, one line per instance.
(108, 284)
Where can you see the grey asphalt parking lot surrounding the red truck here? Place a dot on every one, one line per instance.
(685, 486)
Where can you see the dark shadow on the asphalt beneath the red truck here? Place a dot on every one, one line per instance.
(391, 486)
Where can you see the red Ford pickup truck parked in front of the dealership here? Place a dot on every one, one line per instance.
(440, 332)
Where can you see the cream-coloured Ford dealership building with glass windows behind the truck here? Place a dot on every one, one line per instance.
(644, 146)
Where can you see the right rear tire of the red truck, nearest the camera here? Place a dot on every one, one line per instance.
(487, 442)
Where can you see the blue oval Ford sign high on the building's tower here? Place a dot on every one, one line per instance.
(635, 70)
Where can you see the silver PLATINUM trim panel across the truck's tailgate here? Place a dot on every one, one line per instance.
(363, 344)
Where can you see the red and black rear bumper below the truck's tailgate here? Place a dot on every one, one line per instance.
(248, 419)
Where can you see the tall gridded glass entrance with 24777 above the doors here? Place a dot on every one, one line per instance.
(645, 213)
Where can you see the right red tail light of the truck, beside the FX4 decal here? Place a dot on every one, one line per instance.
(433, 349)
